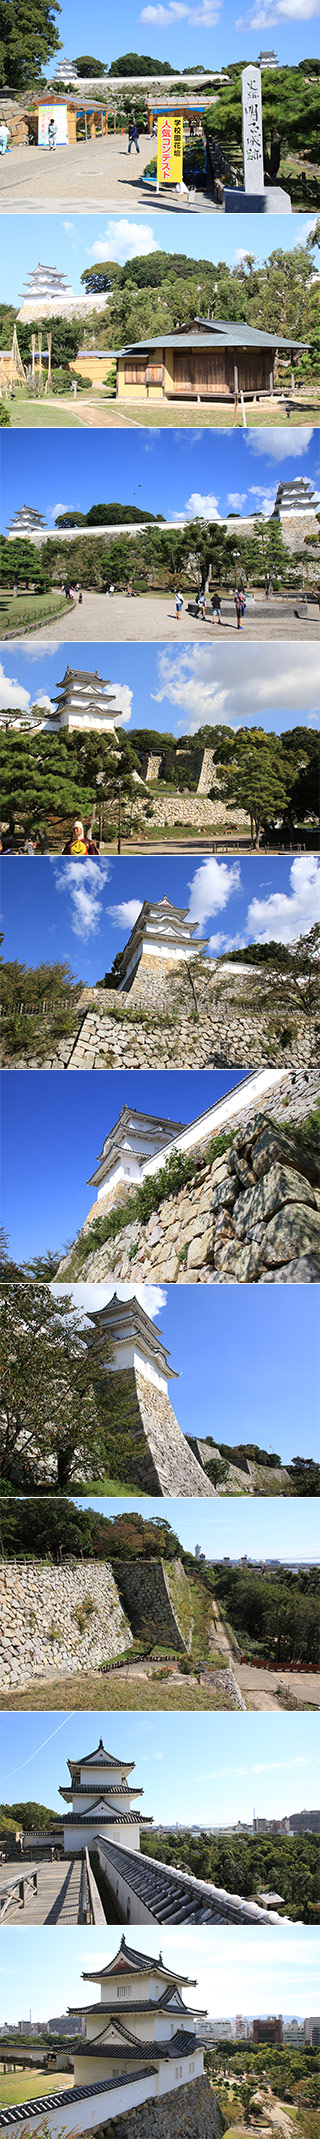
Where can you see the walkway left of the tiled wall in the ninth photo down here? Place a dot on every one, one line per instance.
(54, 1903)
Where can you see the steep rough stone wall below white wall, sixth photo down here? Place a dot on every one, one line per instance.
(251, 1216)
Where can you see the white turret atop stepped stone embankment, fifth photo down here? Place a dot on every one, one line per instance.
(163, 936)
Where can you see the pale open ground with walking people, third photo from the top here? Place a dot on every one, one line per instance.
(142, 617)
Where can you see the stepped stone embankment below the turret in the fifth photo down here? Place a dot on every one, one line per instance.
(191, 1017)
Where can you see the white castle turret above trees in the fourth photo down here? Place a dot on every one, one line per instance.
(84, 701)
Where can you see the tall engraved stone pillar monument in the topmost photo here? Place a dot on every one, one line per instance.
(255, 196)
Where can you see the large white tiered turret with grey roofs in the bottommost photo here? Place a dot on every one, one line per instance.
(140, 2022)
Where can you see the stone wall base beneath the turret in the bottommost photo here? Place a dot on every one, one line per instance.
(187, 2114)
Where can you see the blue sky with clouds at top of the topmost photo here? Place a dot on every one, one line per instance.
(187, 40)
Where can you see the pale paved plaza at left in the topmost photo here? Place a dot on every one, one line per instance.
(89, 176)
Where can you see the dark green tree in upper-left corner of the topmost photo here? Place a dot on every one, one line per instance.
(29, 40)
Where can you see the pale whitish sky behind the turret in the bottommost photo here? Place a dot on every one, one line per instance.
(274, 1973)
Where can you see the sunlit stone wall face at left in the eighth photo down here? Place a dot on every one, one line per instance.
(59, 1620)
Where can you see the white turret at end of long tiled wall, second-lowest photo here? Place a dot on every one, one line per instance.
(101, 1802)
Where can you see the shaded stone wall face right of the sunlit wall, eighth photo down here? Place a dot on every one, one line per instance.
(157, 1597)
